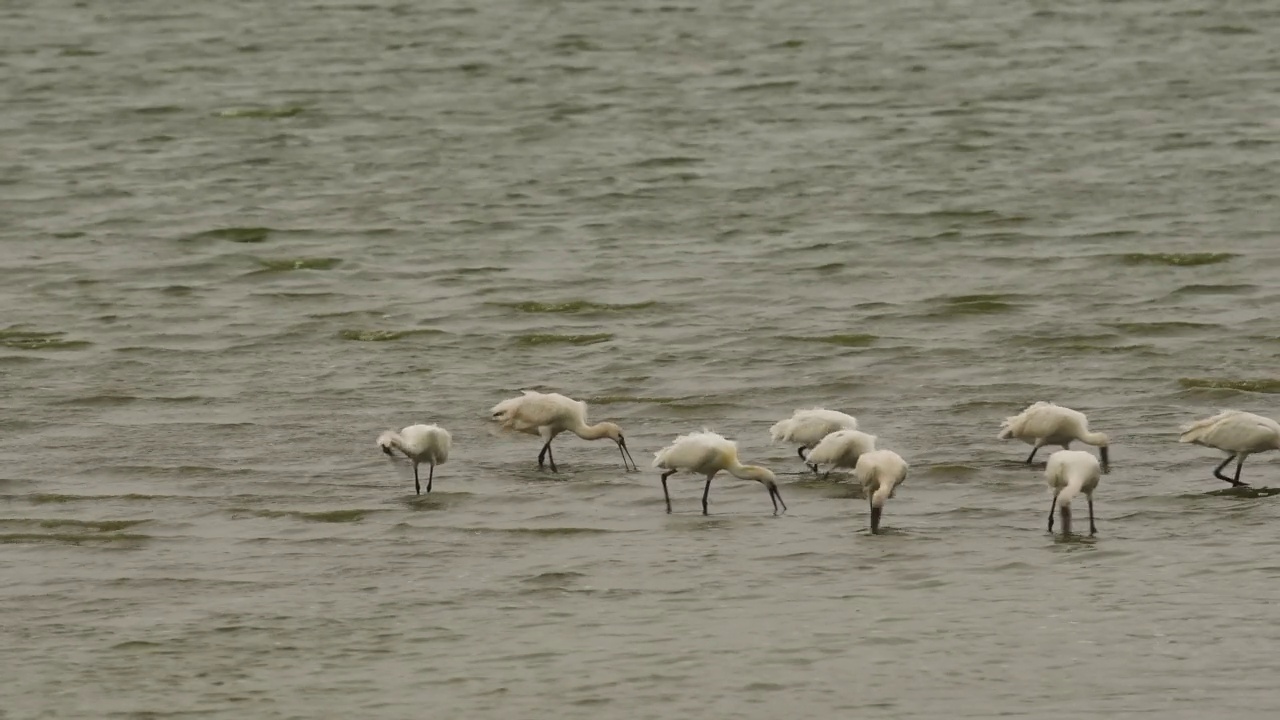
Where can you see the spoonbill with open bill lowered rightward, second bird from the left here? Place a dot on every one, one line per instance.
(551, 414)
